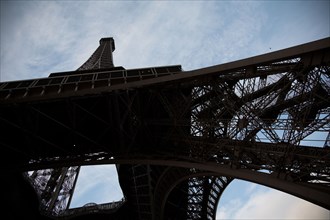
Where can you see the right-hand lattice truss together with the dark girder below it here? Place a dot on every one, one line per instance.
(279, 106)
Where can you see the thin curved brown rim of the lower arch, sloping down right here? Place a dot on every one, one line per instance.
(303, 191)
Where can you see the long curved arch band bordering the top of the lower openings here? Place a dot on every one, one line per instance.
(308, 191)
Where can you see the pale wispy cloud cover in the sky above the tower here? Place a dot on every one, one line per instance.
(42, 37)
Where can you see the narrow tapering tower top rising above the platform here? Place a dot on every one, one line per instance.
(102, 57)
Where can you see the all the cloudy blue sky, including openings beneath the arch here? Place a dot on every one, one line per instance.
(41, 37)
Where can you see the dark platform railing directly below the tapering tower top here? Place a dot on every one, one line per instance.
(23, 89)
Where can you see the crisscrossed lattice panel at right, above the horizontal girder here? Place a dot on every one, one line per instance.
(284, 103)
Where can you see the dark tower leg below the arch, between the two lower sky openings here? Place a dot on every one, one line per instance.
(159, 192)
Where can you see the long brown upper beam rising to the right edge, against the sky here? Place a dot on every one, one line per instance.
(136, 80)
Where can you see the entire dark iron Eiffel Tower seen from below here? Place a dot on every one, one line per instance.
(178, 138)
